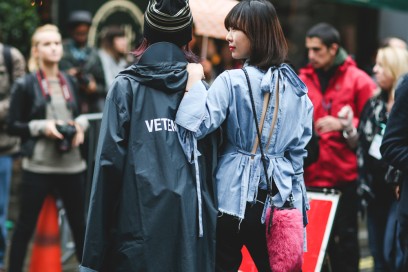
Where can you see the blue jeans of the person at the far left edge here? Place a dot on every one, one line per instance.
(6, 164)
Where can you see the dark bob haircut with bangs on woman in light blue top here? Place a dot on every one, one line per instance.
(259, 21)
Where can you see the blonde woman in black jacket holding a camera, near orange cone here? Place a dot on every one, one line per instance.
(44, 112)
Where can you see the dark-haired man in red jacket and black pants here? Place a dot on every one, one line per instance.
(334, 81)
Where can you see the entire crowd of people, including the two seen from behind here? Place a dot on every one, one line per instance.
(182, 180)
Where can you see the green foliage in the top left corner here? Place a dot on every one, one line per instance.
(18, 20)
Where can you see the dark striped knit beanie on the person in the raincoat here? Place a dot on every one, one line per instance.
(168, 20)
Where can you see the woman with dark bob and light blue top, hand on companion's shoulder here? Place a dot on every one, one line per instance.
(255, 37)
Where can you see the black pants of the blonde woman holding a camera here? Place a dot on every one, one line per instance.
(35, 188)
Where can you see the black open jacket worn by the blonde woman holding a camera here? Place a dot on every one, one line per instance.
(28, 103)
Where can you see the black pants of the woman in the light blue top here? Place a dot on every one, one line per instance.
(232, 236)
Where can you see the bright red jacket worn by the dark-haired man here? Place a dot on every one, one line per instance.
(349, 86)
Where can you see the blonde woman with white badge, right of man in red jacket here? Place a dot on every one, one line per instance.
(376, 195)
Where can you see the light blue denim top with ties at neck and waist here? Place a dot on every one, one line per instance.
(227, 104)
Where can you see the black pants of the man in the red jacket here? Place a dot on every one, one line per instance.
(343, 248)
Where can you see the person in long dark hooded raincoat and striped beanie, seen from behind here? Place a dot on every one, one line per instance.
(150, 210)
